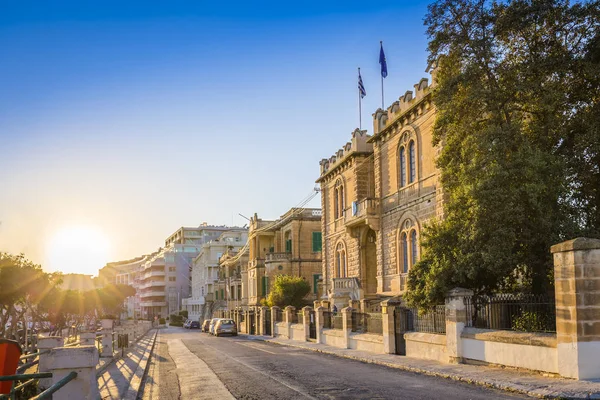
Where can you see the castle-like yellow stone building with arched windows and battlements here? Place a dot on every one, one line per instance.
(376, 194)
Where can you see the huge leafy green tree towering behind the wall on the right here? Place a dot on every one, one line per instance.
(517, 84)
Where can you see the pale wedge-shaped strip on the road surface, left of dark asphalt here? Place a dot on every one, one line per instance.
(199, 382)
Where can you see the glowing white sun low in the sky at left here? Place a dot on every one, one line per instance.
(78, 249)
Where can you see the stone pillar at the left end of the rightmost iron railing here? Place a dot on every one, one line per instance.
(456, 319)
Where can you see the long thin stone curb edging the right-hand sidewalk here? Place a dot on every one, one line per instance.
(484, 383)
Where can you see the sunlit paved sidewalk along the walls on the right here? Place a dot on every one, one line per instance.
(507, 379)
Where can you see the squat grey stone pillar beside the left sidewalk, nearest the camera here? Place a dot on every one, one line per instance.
(83, 360)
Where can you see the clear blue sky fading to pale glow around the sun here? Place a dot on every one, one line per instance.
(122, 121)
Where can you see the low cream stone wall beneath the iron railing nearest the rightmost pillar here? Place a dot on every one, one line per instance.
(535, 351)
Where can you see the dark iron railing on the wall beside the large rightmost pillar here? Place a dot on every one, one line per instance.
(518, 312)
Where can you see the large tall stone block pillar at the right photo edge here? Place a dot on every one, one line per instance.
(577, 287)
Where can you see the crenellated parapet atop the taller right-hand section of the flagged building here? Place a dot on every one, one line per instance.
(409, 106)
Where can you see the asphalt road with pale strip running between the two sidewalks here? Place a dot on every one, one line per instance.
(194, 365)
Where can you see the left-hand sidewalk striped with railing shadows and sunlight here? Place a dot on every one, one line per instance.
(122, 378)
